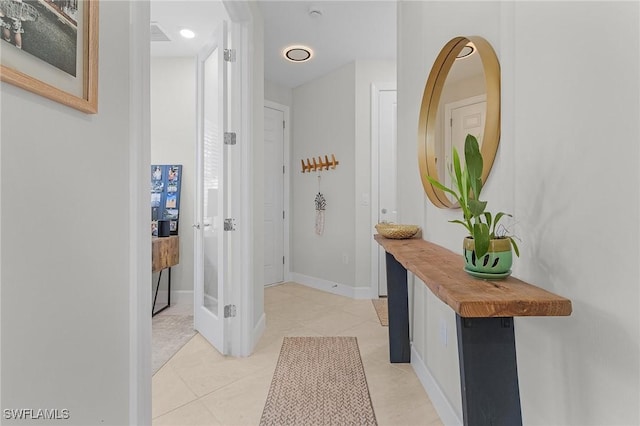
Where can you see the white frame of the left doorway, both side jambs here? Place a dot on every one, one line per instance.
(139, 166)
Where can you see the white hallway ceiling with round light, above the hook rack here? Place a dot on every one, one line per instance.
(344, 32)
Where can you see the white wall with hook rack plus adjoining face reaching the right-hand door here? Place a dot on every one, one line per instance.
(332, 115)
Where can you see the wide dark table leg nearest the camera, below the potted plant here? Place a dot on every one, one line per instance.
(488, 372)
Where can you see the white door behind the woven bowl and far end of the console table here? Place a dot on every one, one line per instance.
(383, 172)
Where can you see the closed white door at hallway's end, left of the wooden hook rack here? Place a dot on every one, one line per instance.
(273, 195)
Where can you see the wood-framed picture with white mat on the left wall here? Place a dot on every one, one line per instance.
(50, 47)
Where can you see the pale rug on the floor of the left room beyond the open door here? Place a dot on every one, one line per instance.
(169, 334)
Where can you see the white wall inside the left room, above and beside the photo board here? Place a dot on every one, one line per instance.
(173, 141)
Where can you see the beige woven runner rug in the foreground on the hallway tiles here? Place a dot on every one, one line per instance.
(319, 381)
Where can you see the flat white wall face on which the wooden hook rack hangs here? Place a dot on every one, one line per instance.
(324, 124)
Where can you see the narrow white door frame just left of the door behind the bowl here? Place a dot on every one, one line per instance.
(376, 88)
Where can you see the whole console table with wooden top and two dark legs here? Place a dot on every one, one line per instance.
(484, 323)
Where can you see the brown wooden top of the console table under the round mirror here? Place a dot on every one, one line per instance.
(443, 272)
